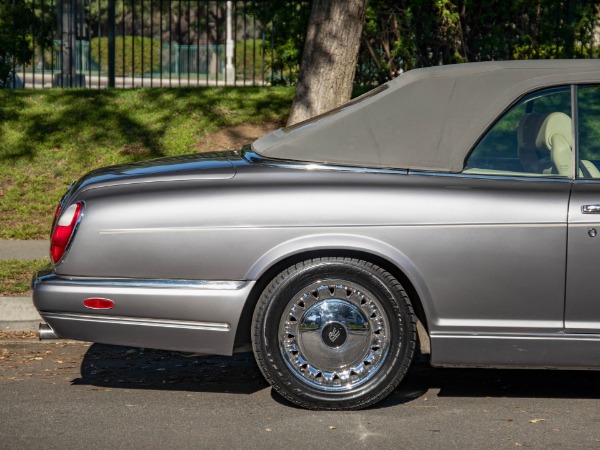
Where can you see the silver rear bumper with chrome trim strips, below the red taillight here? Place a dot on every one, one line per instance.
(183, 315)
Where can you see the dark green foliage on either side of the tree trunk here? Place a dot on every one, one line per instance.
(400, 35)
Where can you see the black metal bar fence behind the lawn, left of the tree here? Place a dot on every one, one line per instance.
(151, 43)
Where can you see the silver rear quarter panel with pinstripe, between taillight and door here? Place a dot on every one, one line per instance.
(481, 254)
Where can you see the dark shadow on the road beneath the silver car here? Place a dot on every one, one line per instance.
(135, 368)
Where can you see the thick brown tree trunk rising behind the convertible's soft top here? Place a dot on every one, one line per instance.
(329, 58)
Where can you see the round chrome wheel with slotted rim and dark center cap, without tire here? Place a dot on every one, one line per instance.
(333, 335)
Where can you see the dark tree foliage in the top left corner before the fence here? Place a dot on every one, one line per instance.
(18, 20)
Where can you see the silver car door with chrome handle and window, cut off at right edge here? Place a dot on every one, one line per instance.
(582, 309)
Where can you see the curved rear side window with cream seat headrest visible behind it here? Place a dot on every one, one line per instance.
(533, 138)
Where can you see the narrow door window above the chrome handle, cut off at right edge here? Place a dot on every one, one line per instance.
(588, 131)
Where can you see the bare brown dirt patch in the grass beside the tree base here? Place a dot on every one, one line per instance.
(233, 138)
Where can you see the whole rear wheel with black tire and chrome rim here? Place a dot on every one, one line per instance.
(334, 333)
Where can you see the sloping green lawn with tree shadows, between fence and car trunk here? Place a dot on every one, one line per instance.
(50, 137)
